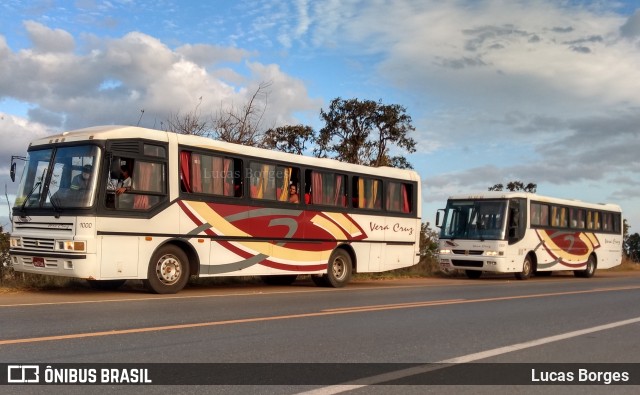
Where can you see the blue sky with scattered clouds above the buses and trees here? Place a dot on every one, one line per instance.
(498, 90)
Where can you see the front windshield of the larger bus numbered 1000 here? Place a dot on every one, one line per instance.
(57, 178)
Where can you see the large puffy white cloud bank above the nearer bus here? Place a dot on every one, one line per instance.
(118, 78)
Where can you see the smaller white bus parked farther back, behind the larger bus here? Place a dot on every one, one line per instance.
(526, 234)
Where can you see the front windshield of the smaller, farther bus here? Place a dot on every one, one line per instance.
(474, 220)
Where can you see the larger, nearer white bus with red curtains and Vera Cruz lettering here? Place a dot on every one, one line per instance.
(193, 206)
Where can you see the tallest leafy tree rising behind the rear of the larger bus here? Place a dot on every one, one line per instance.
(363, 132)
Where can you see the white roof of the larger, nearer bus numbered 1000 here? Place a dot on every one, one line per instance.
(108, 132)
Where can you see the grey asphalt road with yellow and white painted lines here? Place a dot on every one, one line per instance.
(395, 325)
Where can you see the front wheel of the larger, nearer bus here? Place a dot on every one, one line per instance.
(168, 270)
